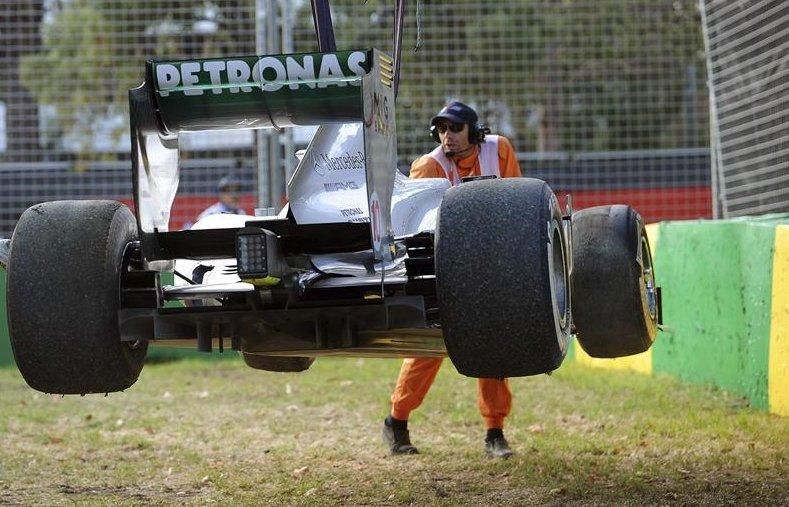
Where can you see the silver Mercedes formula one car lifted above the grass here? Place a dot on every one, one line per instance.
(361, 262)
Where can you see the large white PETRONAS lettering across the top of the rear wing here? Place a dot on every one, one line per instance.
(268, 73)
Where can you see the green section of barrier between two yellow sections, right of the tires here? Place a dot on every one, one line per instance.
(717, 280)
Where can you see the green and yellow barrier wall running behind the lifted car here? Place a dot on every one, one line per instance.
(725, 308)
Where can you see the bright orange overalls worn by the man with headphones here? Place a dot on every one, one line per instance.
(417, 375)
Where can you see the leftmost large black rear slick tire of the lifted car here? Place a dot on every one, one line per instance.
(64, 277)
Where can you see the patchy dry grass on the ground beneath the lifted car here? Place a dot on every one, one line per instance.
(200, 432)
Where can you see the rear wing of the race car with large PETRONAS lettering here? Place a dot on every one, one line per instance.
(251, 92)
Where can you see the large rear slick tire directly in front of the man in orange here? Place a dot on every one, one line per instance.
(502, 278)
